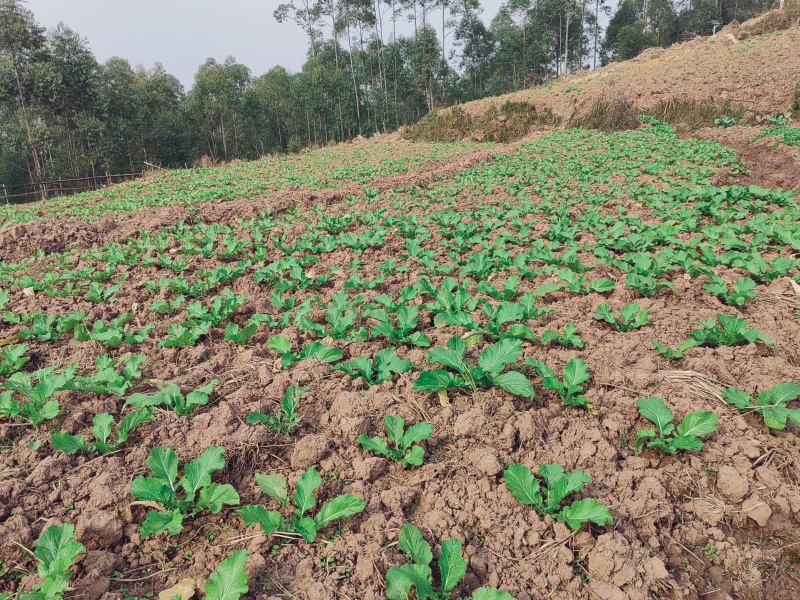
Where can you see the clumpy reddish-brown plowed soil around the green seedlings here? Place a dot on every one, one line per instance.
(718, 523)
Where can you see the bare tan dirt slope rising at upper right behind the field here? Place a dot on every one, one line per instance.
(751, 70)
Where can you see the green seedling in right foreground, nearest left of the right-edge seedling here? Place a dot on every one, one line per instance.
(668, 439)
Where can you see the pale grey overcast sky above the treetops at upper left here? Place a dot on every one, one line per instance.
(182, 34)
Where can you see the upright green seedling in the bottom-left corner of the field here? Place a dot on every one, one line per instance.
(56, 552)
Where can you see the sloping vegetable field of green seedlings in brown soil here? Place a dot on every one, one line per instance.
(561, 368)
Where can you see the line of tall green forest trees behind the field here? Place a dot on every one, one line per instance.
(371, 66)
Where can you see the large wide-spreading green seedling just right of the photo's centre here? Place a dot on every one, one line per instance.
(488, 372)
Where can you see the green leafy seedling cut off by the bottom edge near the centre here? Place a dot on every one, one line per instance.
(417, 574)
